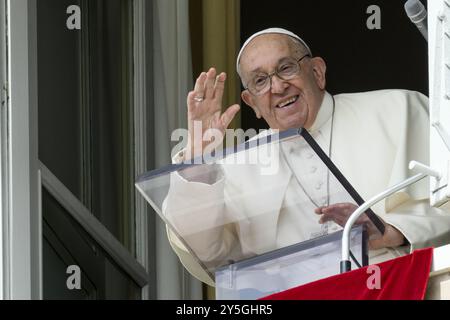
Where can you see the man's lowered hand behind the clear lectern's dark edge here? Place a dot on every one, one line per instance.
(340, 212)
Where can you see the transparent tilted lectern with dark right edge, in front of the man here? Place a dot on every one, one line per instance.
(247, 218)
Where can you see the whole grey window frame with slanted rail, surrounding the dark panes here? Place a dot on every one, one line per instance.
(22, 175)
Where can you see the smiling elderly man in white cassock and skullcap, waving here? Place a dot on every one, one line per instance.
(370, 137)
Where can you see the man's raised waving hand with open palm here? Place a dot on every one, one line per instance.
(204, 111)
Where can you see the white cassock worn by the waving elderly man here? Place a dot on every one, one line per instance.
(374, 136)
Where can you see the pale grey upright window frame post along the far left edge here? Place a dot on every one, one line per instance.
(21, 245)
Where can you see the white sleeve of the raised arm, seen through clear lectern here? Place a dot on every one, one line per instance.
(196, 211)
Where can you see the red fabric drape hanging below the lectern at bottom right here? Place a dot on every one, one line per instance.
(403, 278)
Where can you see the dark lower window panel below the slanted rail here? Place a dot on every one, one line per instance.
(65, 243)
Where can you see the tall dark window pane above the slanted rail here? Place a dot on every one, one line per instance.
(85, 113)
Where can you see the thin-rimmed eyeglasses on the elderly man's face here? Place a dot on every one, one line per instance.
(287, 70)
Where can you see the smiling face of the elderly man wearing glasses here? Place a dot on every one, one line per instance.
(306, 91)
